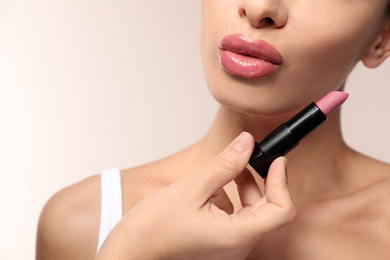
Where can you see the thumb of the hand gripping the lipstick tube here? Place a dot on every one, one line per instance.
(223, 168)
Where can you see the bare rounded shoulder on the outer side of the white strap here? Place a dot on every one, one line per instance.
(69, 223)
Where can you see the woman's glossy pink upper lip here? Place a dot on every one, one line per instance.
(260, 49)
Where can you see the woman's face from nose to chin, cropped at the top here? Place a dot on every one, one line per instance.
(320, 41)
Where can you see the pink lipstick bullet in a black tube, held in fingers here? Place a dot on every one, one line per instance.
(287, 136)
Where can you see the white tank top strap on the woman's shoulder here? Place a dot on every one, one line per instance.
(111, 204)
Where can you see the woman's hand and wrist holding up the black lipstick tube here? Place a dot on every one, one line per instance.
(181, 221)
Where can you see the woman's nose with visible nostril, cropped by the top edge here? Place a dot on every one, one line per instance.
(263, 13)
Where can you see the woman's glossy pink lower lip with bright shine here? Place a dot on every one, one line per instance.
(245, 66)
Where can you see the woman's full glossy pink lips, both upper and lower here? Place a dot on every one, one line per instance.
(248, 58)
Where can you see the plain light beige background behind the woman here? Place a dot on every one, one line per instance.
(87, 84)
